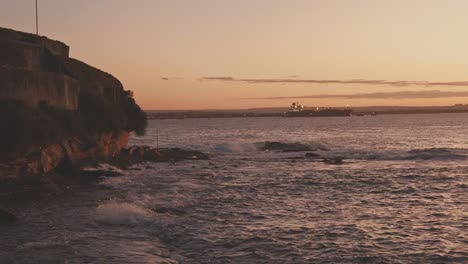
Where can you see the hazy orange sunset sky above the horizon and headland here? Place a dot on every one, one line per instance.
(224, 54)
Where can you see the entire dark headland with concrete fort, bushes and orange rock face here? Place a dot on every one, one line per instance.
(57, 111)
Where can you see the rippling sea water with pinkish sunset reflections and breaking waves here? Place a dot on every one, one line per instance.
(401, 196)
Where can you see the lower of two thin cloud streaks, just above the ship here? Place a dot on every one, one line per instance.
(389, 95)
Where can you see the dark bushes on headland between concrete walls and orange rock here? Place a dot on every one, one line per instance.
(25, 129)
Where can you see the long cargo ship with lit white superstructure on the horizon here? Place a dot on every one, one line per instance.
(298, 110)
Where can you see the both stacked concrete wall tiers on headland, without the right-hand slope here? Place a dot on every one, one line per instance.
(32, 71)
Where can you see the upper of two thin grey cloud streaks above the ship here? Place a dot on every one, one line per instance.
(353, 81)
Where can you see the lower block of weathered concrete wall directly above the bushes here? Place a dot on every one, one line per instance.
(39, 88)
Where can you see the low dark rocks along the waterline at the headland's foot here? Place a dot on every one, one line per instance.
(28, 188)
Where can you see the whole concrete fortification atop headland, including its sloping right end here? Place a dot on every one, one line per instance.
(57, 79)
